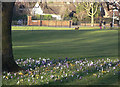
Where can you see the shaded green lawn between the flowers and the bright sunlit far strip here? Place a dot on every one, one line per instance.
(63, 43)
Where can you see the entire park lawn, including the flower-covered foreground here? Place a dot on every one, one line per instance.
(66, 57)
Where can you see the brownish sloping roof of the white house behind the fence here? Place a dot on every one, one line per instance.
(56, 8)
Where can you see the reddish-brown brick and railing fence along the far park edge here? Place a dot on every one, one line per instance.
(52, 23)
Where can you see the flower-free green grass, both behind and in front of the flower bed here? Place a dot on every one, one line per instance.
(92, 44)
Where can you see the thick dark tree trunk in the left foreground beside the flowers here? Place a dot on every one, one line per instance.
(8, 62)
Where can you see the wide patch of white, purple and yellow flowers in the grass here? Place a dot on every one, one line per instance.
(44, 70)
